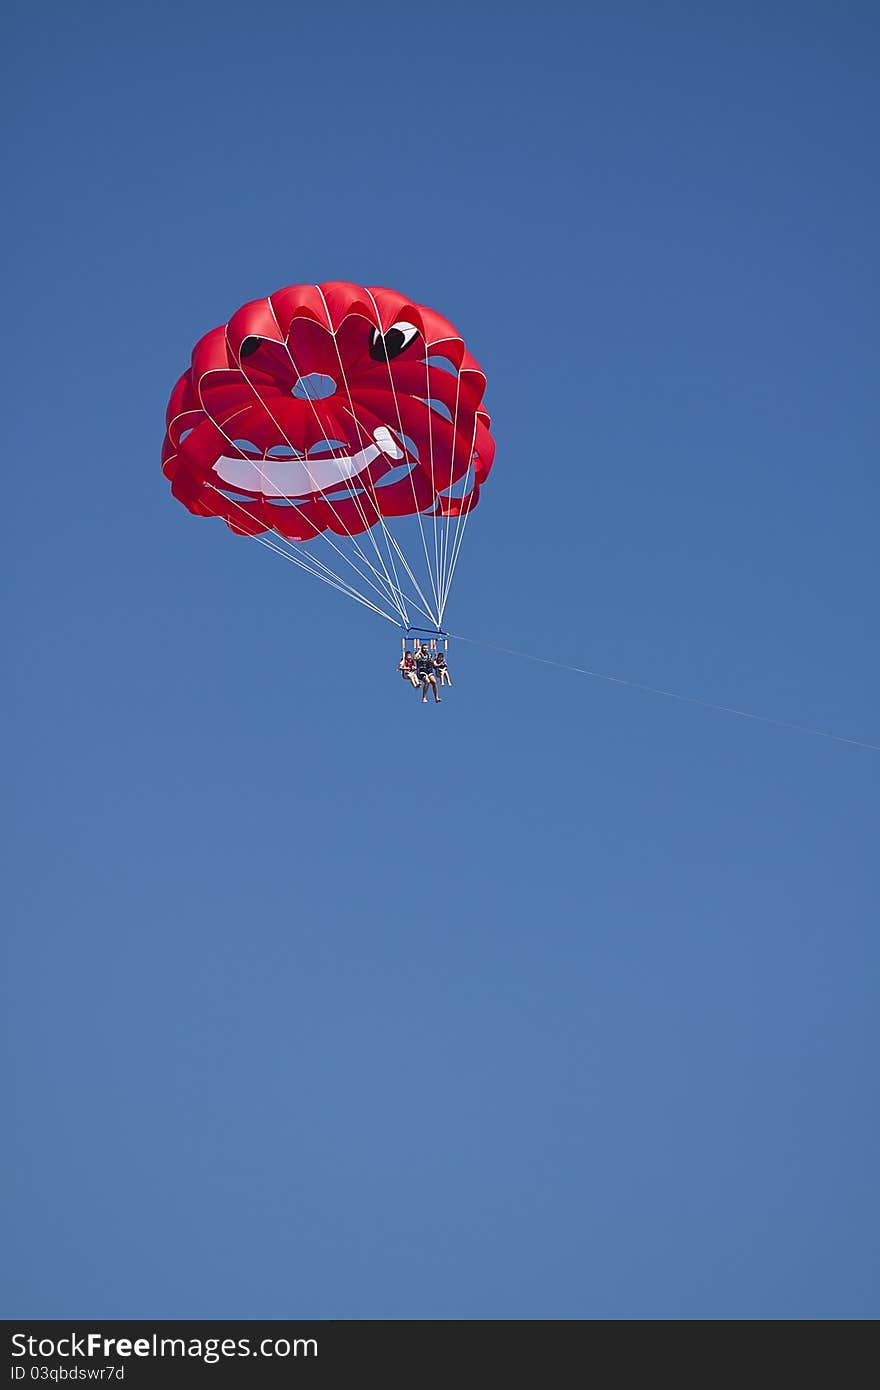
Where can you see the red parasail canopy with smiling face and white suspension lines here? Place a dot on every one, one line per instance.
(325, 412)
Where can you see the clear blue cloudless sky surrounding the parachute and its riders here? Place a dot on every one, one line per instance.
(560, 1001)
